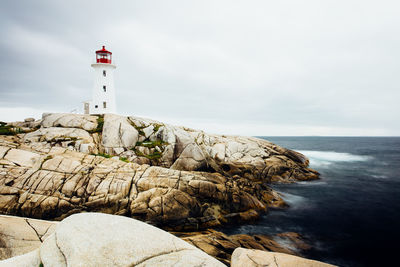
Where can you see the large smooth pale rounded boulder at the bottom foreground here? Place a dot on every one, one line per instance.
(89, 239)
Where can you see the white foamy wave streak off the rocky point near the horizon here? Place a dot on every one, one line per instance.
(323, 158)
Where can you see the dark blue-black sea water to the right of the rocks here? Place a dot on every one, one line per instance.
(352, 214)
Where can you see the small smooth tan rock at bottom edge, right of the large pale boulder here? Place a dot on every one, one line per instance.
(254, 258)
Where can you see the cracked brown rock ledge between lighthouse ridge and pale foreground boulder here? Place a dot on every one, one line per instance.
(60, 182)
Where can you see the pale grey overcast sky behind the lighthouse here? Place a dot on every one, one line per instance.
(234, 67)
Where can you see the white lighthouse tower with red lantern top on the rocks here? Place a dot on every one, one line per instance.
(103, 95)
